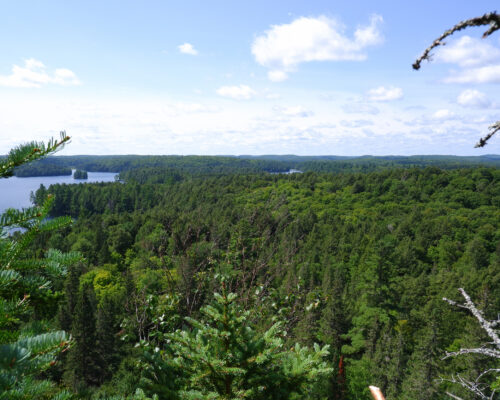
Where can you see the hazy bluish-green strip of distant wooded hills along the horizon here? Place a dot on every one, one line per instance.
(245, 164)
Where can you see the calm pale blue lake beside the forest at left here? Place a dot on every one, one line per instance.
(15, 192)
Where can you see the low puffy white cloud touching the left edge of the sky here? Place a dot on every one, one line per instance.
(34, 75)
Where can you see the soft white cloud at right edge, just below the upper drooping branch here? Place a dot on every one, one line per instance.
(468, 52)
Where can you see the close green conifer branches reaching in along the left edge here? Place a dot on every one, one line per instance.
(25, 353)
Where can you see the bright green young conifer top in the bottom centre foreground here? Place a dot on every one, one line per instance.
(224, 357)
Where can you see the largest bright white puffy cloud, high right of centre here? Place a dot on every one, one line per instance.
(283, 47)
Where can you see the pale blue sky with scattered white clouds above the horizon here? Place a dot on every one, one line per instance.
(254, 77)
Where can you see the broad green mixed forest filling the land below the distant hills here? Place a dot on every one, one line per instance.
(356, 261)
